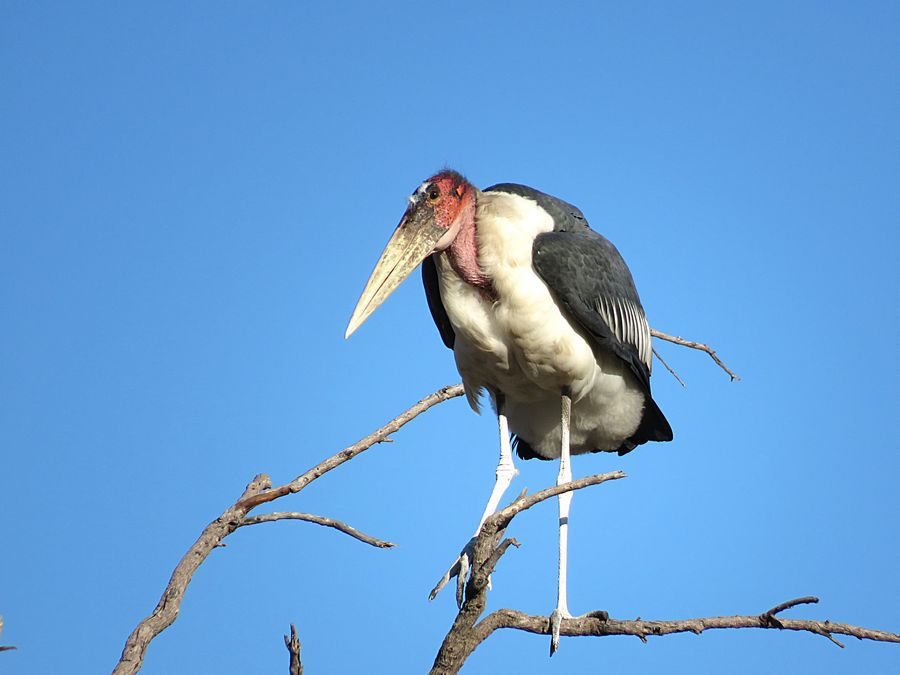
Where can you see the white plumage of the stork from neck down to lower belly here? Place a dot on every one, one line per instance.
(522, 345)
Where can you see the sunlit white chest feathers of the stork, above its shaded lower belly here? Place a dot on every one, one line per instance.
(519, 341)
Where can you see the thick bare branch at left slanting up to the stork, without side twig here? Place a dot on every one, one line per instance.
(259, 491)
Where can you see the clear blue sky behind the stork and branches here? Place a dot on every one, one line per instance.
(193, 197)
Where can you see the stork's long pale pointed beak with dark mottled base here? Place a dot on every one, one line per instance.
(412, 241)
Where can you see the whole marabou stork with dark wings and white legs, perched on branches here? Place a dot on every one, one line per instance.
(542, 313)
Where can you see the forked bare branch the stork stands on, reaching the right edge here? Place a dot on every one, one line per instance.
(467, 632)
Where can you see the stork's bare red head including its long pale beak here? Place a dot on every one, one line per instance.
(437, 210)
